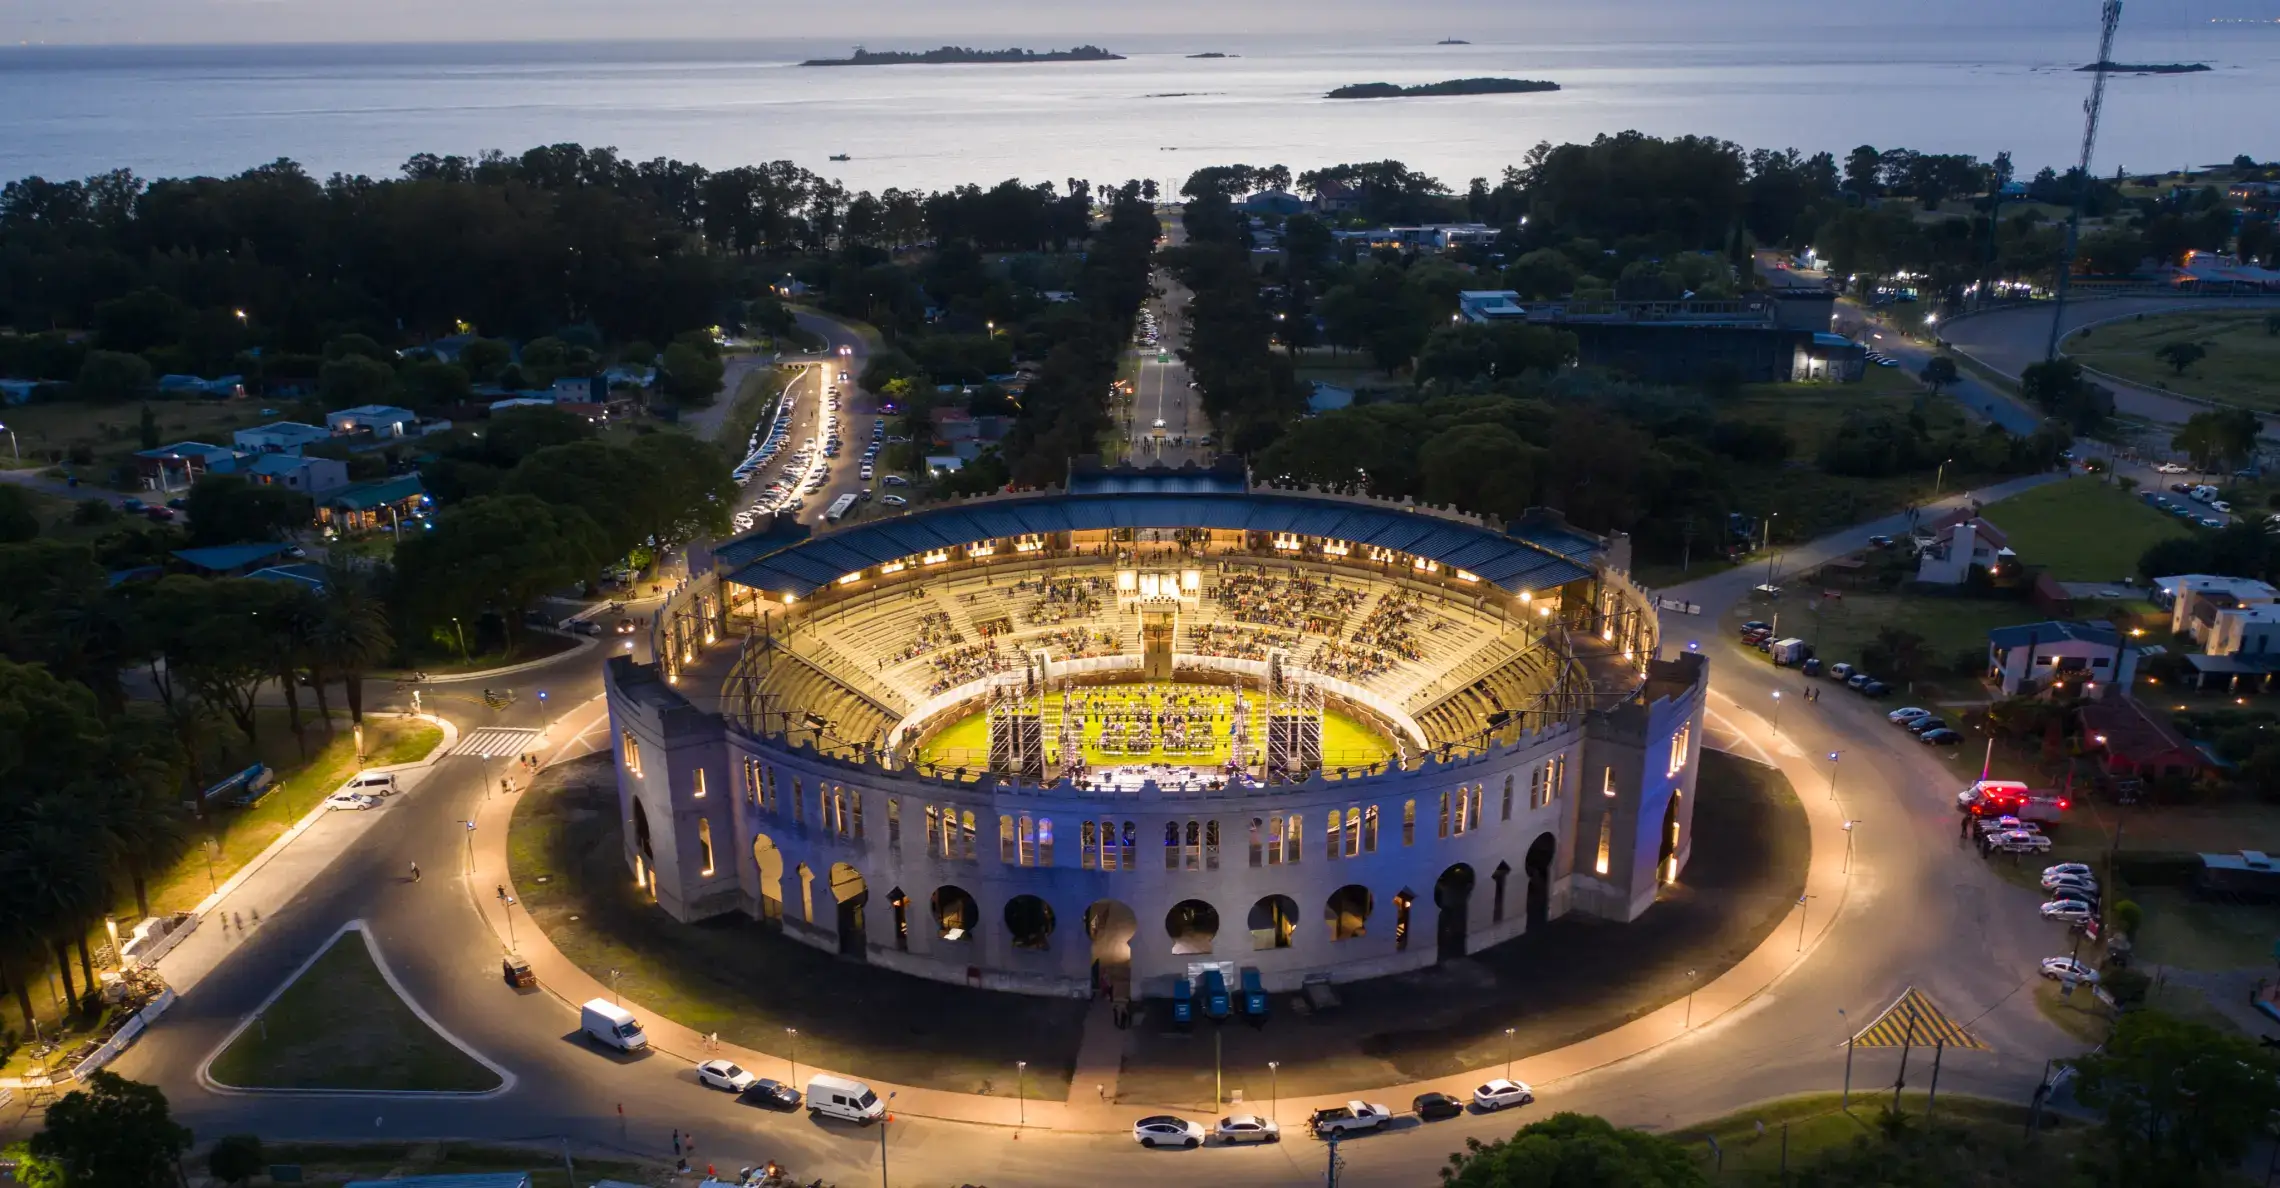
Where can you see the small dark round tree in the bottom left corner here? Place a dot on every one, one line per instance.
(113, 1134)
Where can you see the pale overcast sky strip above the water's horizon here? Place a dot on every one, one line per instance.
(997, 22)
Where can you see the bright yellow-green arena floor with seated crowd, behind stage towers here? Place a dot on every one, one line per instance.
(1155, 726)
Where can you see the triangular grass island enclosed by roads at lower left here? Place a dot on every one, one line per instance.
(343, 1027)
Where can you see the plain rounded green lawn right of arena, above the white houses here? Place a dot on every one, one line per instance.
(2083, 530)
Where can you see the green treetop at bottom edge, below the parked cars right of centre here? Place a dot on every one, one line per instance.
(1572, 1150)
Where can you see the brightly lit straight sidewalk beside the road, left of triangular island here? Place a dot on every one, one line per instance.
(275, 879)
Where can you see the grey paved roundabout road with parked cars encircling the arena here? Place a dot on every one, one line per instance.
(1914, 911)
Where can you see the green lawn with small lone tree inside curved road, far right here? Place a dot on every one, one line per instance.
(2240, 368)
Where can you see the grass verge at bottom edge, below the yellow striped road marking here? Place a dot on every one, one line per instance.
(1989, 1137)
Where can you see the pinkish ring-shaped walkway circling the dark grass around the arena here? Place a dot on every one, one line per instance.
(1784, 950)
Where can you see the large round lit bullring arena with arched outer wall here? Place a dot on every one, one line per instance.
(1157, 722)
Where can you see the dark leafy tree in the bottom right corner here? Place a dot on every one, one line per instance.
(2181, 1098)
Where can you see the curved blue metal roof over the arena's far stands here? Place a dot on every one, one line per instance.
(1531, 555)
